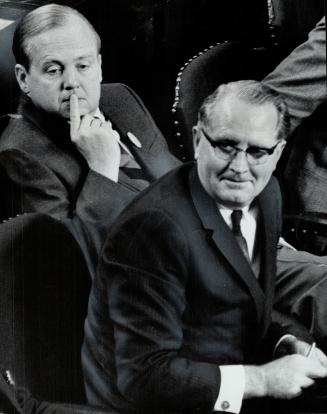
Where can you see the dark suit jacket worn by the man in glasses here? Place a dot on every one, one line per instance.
(174, 297)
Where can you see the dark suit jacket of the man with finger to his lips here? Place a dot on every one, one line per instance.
(47, 174)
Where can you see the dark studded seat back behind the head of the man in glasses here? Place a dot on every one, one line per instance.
(224, 62)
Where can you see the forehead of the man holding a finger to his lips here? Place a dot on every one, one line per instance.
(73, 39)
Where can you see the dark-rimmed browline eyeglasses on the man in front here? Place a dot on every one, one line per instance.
(226, 151)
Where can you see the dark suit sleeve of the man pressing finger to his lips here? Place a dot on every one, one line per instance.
(32, 186)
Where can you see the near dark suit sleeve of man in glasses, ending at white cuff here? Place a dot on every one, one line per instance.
(146, 278)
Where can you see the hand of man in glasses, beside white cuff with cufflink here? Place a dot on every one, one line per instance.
(283, 378)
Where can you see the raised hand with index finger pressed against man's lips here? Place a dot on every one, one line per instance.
(96, 141)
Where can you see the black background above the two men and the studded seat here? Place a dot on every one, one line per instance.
(145, 42)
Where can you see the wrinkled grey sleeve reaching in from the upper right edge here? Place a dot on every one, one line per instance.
(301, 77)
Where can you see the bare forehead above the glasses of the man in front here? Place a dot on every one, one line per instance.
(244, 121)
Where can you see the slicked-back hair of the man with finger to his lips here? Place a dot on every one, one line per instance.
(40, 20)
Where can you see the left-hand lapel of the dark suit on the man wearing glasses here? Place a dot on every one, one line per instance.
(224, 240)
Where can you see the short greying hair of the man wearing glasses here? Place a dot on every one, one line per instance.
(252, 92)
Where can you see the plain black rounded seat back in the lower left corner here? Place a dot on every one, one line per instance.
(44, 294)
